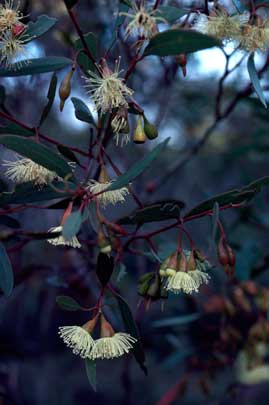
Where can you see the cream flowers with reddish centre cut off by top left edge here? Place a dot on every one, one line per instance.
(11, 29)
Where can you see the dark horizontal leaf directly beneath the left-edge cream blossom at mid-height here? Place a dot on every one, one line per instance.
(29, 193)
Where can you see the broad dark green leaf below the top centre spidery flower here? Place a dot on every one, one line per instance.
(174, 42)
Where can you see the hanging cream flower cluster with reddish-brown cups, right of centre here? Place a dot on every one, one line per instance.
(184, 271)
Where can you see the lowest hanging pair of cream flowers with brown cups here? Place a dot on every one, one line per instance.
(110, 345)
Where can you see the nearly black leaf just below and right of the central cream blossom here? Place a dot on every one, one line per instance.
(158, 211)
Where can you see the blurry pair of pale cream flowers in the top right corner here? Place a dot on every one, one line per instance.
(250, 36)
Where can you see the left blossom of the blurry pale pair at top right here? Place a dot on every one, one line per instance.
(221, 25)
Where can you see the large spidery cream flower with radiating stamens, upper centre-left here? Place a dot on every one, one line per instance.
(108, 91)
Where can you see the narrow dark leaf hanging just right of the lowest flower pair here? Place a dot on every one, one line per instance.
(132, 329)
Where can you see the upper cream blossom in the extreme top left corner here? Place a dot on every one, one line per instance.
(10, 16)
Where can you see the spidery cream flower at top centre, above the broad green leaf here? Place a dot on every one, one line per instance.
(143, 22)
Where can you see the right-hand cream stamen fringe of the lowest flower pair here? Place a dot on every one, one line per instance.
(111, 347)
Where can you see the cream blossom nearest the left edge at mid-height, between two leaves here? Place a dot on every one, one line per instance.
(23, 170)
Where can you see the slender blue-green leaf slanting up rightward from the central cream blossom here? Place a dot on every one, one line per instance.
(138, 167)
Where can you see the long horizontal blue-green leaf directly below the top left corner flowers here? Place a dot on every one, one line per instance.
(36, 66)
